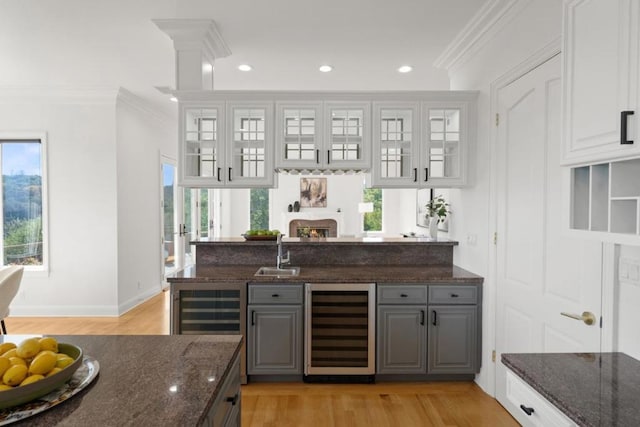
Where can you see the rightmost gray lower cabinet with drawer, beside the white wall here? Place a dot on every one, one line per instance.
(454, 335)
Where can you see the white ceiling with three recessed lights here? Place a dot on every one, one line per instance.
(114, 43)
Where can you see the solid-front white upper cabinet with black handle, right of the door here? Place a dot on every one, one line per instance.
(601, 90)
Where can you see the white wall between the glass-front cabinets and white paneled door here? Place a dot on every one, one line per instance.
(536, 25)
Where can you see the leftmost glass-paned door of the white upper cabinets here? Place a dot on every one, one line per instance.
(202, 144)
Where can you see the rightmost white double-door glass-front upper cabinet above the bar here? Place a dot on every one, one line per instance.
(422, 144)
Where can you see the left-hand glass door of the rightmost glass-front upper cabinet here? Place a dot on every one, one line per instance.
(395, 144)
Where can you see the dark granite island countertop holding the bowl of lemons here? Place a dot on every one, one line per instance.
(137, 376)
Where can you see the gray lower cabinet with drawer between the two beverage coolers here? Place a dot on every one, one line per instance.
(274, 330)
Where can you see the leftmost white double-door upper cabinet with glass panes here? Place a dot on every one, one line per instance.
(226, 145)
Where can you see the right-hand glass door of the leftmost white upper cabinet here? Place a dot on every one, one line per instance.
(250, 147)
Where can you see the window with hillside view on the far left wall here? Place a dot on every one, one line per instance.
(22, 214)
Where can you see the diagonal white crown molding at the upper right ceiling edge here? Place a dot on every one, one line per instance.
(478, 31)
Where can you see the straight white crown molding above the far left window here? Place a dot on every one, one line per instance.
(101, 95)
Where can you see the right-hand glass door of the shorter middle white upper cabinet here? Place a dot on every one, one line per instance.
(348, 130)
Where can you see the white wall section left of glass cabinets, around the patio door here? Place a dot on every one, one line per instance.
(141, 137)
